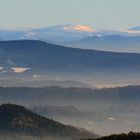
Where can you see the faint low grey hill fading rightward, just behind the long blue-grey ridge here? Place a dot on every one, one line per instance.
(38, 81)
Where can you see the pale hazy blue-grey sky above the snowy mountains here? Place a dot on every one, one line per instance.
(104, 14)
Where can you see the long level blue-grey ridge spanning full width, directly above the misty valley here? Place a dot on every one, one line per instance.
(58, 95)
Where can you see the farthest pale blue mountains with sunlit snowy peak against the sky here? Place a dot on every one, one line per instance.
(80, 36)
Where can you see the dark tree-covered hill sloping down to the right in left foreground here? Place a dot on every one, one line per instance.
(18, 120)
